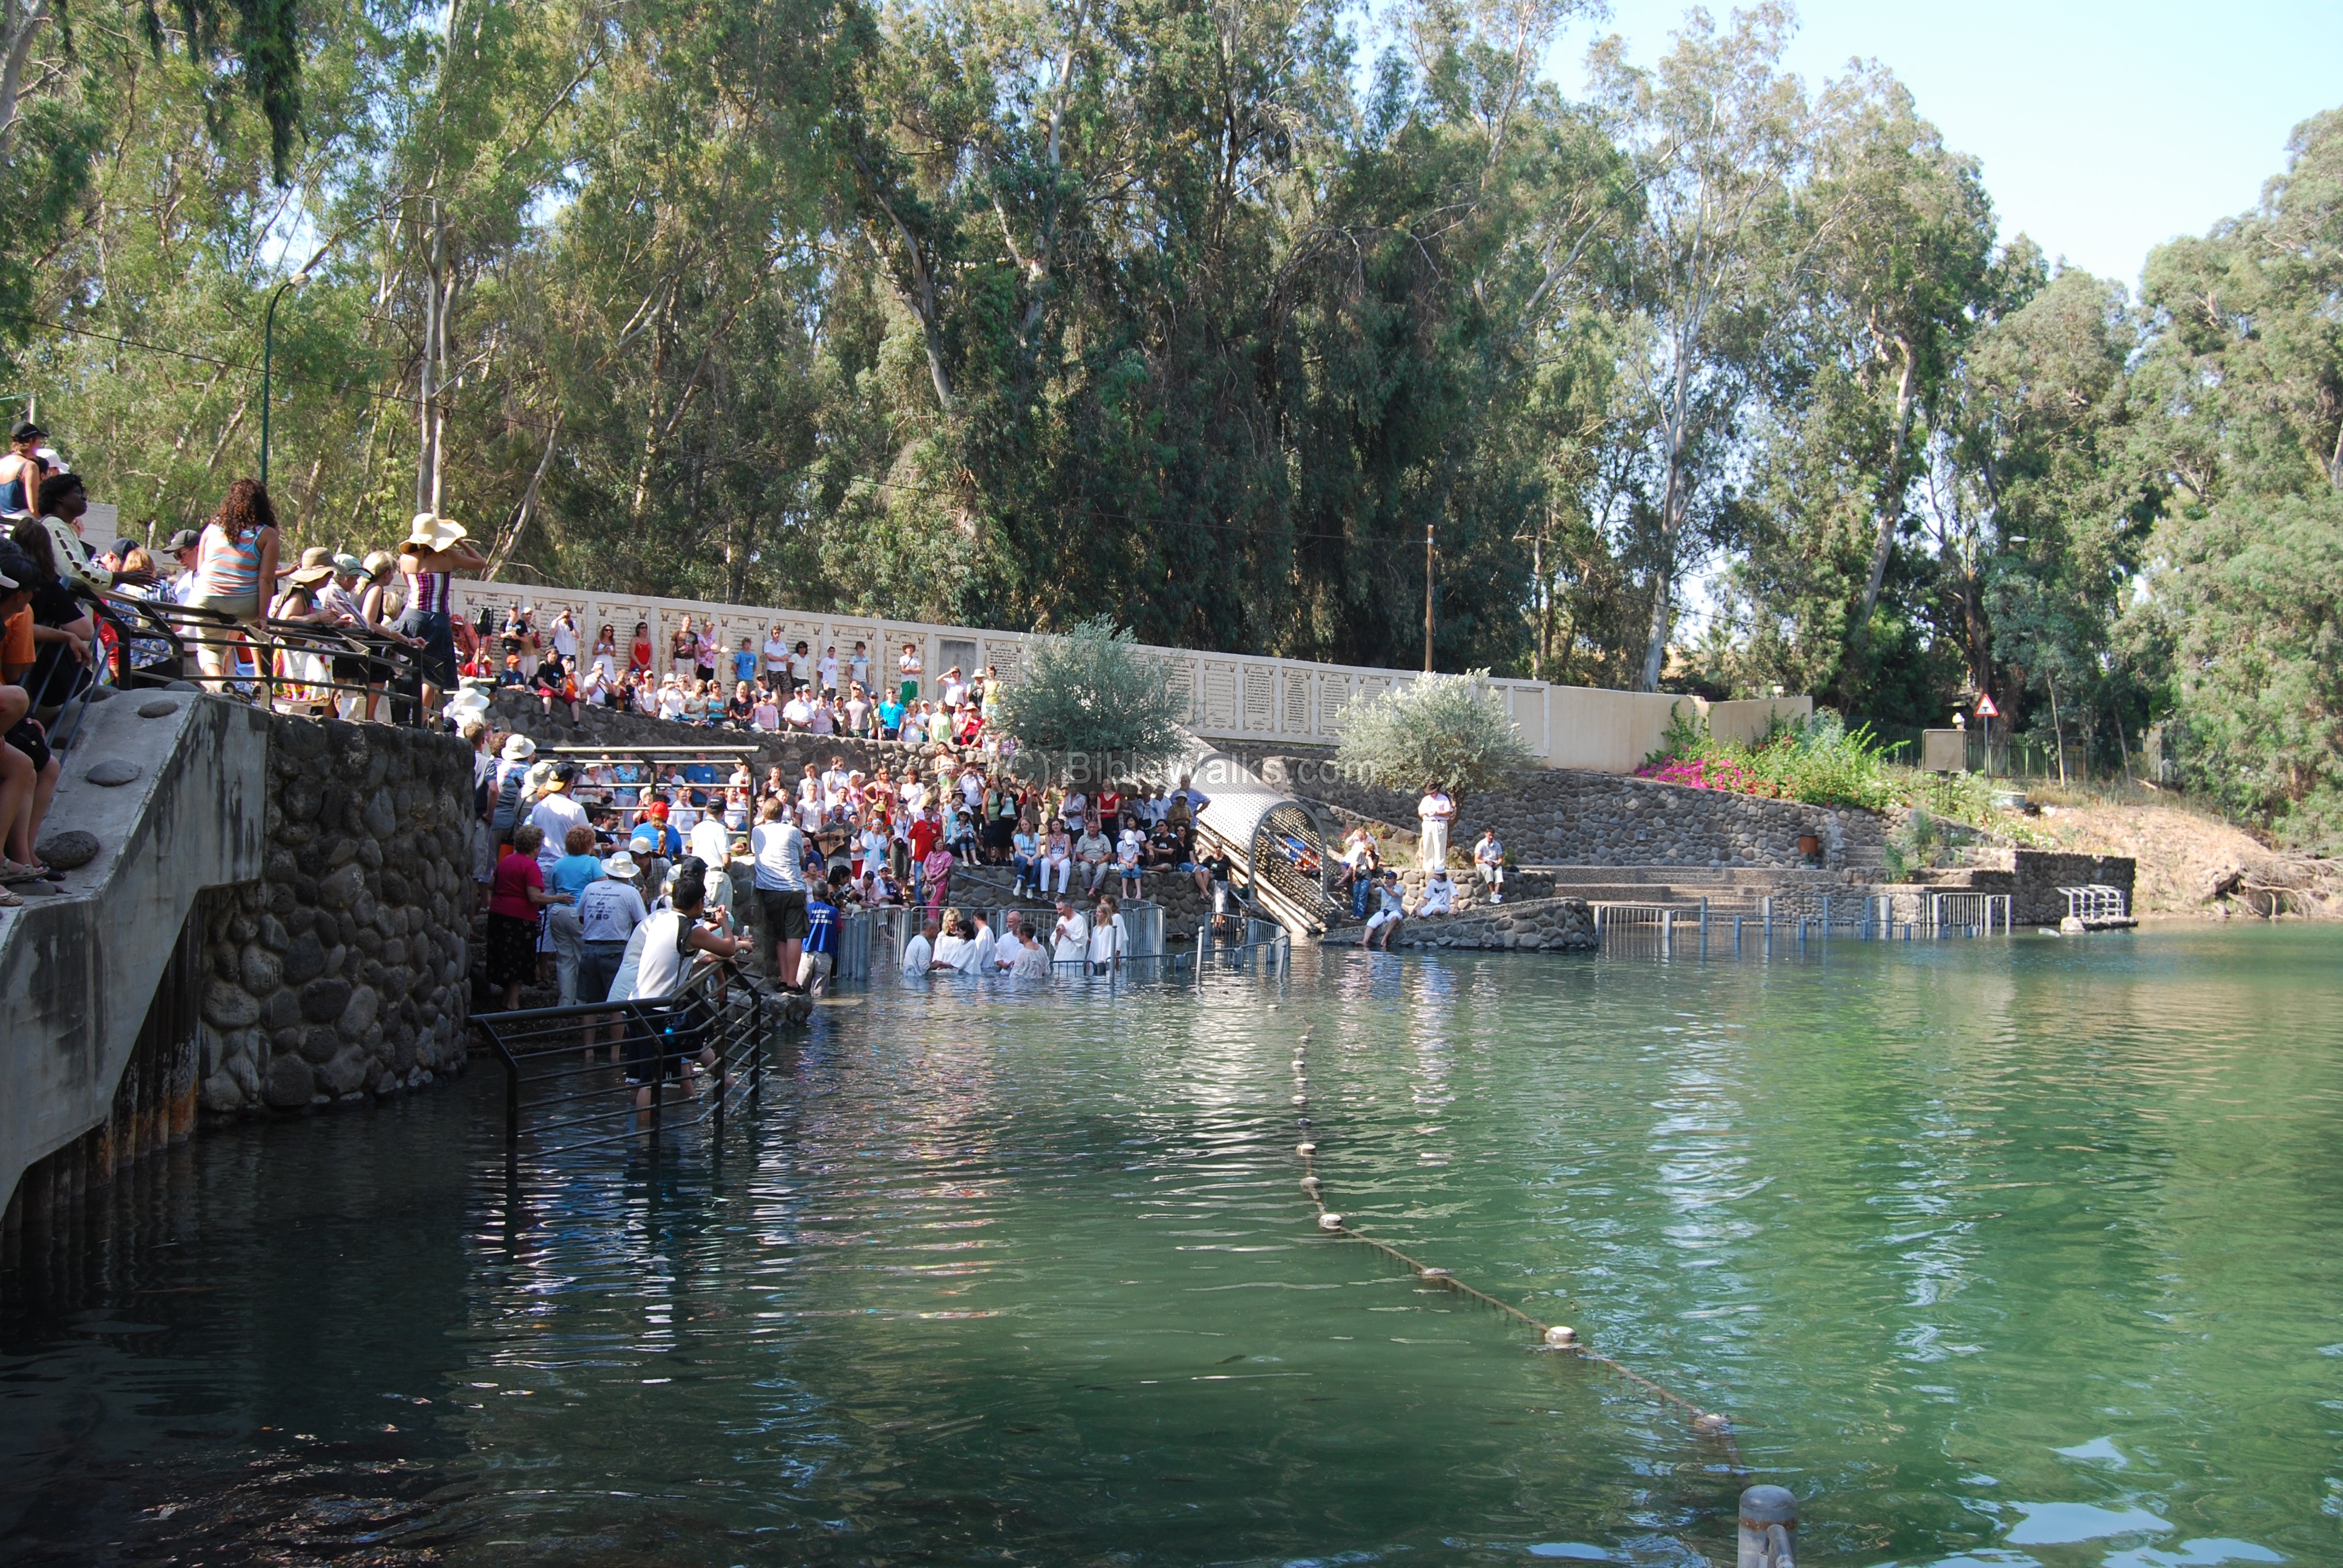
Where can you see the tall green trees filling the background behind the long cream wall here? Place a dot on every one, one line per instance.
(1208, 320)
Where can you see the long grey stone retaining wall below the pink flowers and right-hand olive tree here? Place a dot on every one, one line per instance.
(1559, 817)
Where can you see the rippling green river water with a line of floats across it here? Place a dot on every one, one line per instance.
(1995, 1250)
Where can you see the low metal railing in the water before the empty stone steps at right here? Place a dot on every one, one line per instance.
(1765, 922)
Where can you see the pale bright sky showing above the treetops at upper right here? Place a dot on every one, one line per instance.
(2103, 128)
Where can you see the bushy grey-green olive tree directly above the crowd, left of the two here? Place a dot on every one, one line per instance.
(1091, 707)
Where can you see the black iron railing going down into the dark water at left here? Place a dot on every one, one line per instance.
(573, 1077)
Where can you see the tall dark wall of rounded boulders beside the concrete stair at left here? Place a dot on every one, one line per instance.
(343, 972)
